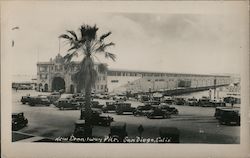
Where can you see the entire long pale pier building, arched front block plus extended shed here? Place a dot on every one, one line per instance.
(55, 75)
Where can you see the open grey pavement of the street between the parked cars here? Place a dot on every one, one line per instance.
(196, 124)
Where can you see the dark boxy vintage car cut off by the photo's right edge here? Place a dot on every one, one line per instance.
(230, 117)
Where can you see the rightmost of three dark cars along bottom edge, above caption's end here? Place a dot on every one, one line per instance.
(169, 134)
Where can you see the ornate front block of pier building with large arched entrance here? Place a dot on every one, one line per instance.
(55, 75)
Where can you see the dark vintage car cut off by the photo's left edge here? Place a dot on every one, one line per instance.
(18, 121)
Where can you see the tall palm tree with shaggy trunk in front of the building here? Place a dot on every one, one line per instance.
(87, 44)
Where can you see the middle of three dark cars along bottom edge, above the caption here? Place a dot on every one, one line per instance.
(118, 131)
